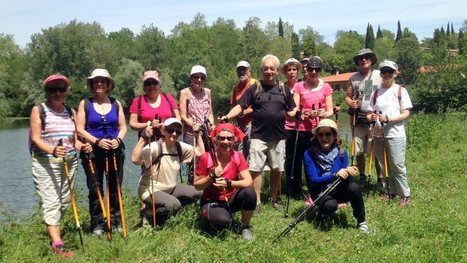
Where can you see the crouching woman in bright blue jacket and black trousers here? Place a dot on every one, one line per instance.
(324, 162)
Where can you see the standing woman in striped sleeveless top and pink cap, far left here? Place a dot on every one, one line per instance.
(51, 122)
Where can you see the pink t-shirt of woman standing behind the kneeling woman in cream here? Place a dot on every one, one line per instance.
(148, 112)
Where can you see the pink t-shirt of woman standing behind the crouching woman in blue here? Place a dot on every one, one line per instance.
(310, 100)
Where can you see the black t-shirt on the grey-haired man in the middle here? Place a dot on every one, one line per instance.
(269, 110)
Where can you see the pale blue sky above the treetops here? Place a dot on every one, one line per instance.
(22, 18)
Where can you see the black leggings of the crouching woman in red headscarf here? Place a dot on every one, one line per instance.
(219, 214)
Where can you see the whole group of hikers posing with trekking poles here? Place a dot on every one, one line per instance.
(279, 126)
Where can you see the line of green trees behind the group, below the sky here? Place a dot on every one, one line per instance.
(76, 48)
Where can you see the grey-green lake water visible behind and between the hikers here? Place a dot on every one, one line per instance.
(18, 196)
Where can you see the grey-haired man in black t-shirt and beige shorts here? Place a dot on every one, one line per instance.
(270, 102)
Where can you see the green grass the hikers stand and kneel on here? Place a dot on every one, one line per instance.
(432, 229)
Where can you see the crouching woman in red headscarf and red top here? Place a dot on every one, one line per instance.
(226, 181)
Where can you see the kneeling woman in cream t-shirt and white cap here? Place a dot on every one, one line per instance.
(158, 184)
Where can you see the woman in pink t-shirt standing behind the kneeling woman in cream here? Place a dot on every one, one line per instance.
(154, 106)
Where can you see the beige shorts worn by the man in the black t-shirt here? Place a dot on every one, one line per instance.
(270, 153)
